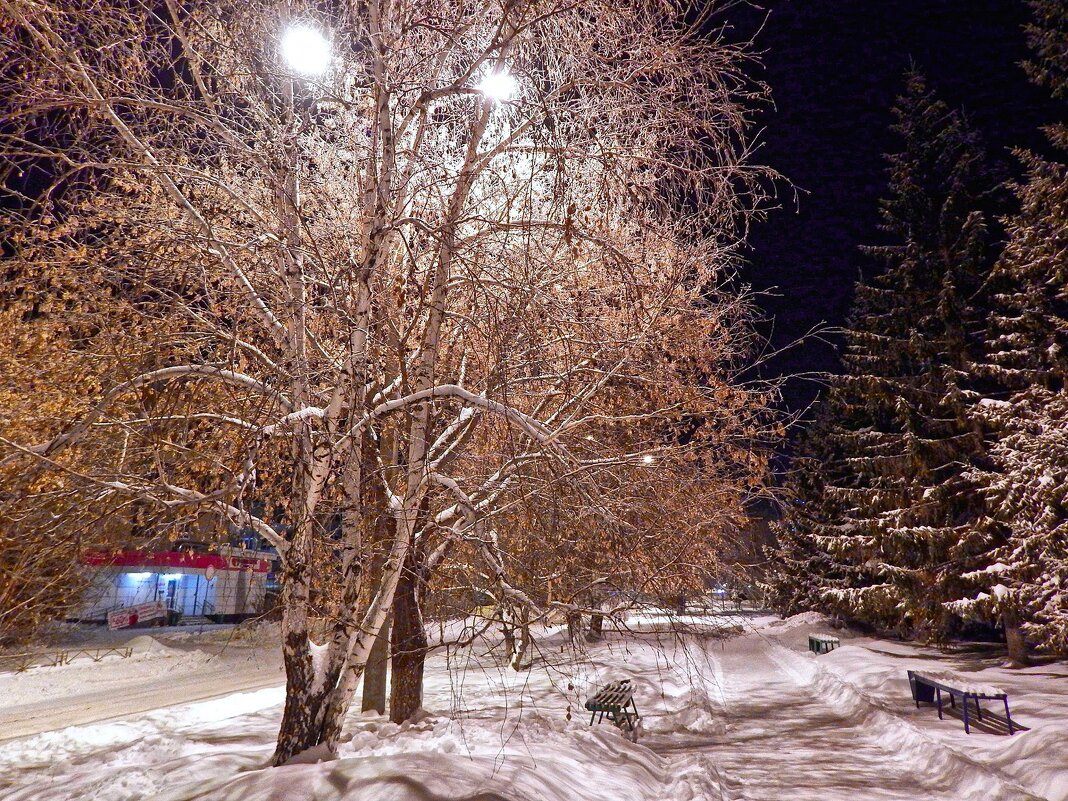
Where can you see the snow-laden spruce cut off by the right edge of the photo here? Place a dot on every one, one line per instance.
(1026, 363)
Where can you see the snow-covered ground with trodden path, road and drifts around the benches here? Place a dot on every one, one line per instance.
(751, 716)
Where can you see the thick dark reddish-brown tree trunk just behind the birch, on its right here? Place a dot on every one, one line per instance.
(410, 641)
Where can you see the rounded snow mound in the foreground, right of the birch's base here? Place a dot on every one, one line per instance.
(538, 764)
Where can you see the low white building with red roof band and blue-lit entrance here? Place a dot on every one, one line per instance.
(225, 586)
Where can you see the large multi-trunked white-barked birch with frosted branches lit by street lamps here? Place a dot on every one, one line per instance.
(478, 261)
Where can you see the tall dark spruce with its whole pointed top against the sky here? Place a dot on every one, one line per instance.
(901, 521)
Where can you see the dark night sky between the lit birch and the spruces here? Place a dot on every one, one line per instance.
(836, 68)
